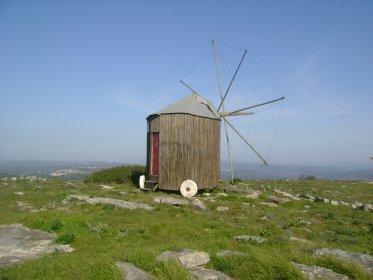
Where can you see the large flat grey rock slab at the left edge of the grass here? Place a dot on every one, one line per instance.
(19, 244)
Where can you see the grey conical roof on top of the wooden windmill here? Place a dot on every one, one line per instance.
(192, 104)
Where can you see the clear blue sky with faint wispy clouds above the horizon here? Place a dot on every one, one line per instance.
(79, 78)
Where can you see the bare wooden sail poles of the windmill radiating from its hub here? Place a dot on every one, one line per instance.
(239, 112)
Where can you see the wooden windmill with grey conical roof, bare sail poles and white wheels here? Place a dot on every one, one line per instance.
(183, 141)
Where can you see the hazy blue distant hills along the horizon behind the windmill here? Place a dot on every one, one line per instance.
(80, 170)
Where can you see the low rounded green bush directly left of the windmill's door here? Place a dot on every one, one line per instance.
(119, 175)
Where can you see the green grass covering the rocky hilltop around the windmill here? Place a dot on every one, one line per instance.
(103, 235)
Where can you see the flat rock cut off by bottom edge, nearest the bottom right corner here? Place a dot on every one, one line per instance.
(317, 272)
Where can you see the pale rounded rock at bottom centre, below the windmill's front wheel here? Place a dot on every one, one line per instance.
(188, 258)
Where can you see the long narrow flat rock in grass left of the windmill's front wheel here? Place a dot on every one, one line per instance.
(111, 201)
